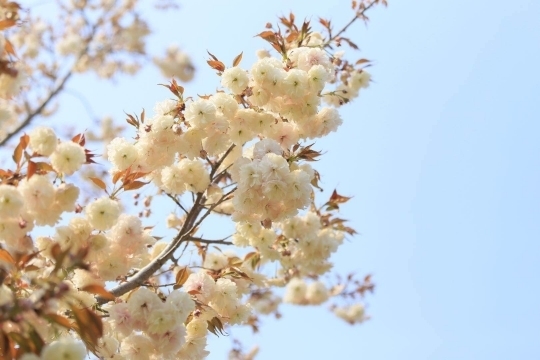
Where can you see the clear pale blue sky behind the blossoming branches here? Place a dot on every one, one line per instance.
(441, 155)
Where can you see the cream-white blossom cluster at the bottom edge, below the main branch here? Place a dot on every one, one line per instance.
(147, 326)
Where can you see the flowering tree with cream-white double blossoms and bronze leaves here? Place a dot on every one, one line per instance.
(101, 284)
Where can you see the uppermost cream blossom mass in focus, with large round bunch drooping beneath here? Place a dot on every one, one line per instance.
(280, 107)
